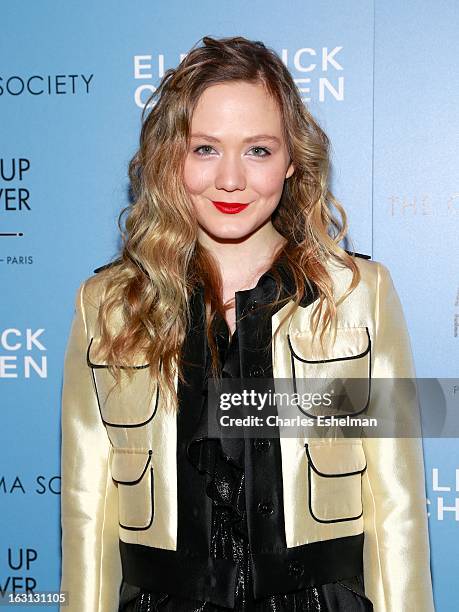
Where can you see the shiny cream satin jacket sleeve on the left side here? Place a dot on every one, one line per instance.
(91, 565)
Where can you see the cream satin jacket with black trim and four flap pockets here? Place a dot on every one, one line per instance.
(320, 510)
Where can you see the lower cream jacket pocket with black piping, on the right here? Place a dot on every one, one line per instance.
(335, 480)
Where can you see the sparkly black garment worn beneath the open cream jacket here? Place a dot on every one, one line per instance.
(221, 462)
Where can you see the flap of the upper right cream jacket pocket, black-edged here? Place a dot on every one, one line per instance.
(350, 343)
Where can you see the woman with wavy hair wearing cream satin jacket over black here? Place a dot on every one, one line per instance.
(231, 267)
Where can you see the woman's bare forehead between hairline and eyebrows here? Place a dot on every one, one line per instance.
(237, 104)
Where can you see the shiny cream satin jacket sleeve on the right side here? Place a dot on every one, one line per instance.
(396, 545)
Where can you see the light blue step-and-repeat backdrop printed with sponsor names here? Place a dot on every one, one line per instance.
(380, 77)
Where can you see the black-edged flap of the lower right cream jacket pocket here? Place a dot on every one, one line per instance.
(337, 459)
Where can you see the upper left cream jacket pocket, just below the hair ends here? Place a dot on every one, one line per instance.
(134, 402)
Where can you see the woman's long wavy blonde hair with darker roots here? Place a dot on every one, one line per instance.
(161, 261)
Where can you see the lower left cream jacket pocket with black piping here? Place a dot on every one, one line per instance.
(132, 470)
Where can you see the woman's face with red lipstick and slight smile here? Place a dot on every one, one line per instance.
(237, 155)
